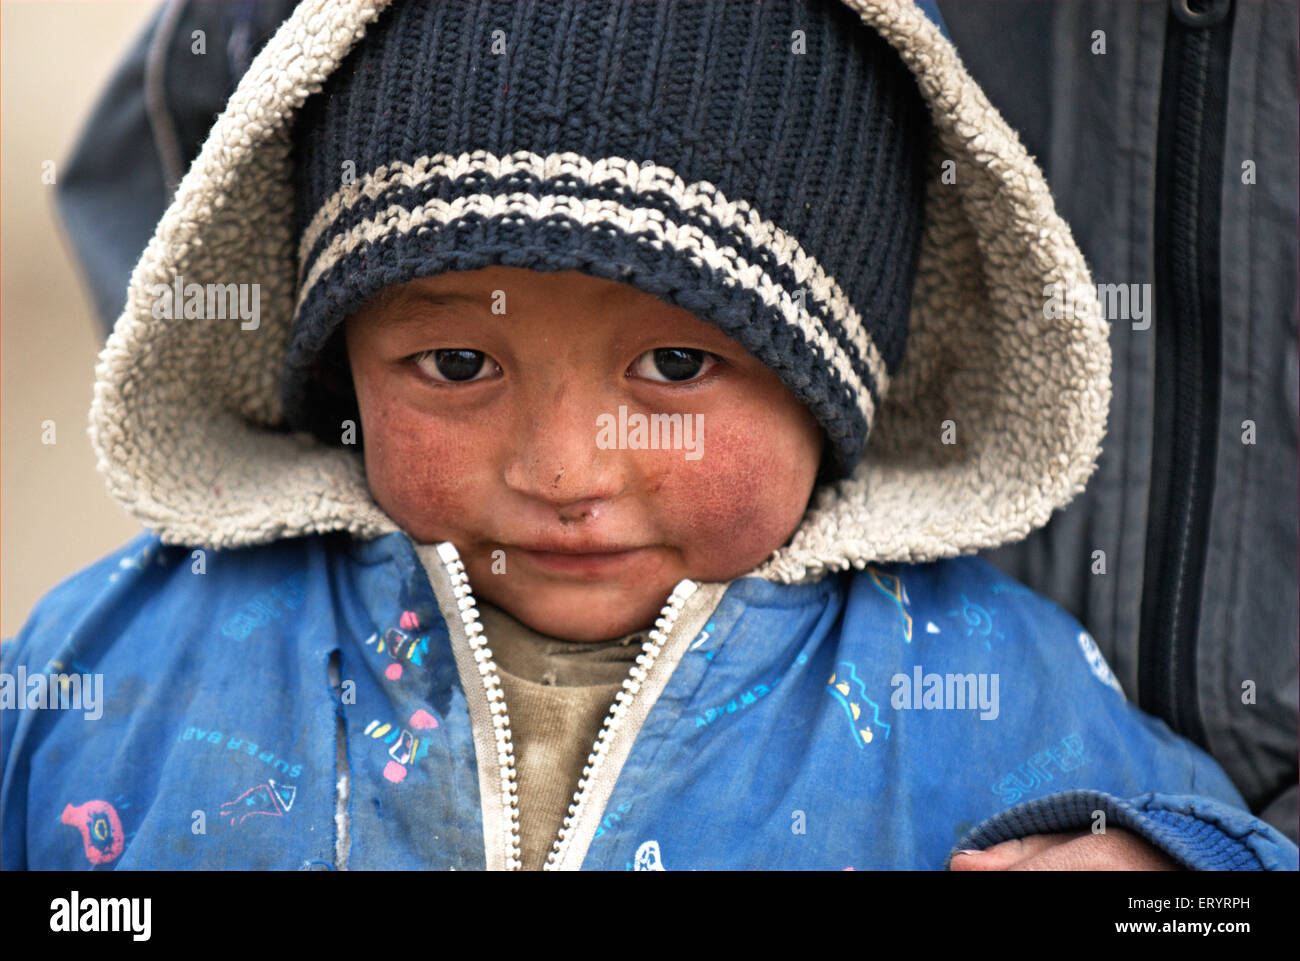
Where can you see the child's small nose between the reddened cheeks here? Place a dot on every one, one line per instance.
(556, 457)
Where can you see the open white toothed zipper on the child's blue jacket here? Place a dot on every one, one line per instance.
(660, 637)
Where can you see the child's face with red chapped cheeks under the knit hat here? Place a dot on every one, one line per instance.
(493, 443)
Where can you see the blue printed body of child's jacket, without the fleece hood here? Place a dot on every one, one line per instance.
(781, 726)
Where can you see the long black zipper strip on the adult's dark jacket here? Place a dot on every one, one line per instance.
(1171, 616)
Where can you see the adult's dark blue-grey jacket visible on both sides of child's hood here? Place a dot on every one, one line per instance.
(116, 184)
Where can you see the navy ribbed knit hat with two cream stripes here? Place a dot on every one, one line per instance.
(775, 192)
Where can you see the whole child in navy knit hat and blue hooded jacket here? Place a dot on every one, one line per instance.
(548, 427)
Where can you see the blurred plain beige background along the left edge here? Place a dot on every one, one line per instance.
(55, 512)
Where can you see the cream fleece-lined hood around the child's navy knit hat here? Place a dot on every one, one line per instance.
(994, 419)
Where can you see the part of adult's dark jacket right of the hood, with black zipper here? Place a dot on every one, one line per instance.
(1173, 157)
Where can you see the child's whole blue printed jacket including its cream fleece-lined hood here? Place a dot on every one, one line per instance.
(289, 682)
